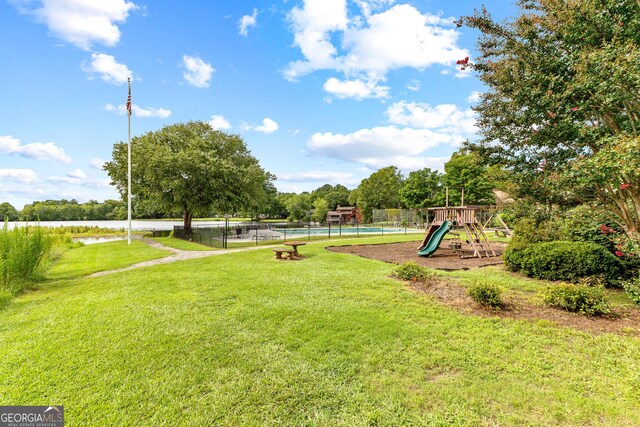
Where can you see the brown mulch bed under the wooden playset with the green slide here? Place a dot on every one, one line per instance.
(443, 259)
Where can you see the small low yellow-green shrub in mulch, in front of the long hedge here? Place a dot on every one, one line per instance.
(590, 301)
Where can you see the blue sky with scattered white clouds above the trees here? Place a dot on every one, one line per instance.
(322, 91)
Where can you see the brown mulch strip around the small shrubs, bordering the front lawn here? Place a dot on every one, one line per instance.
(624, 321)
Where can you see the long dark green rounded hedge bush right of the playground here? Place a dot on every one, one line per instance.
(568, 261)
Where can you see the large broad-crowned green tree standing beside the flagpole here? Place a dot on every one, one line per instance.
(191, 168)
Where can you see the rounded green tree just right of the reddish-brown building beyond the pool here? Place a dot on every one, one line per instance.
(380, 191)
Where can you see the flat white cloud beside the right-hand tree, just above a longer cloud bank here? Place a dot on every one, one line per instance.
(445, 117)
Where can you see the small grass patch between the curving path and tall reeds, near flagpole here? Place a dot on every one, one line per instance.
(90, 259)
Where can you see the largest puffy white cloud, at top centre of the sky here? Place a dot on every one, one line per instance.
(371, 44)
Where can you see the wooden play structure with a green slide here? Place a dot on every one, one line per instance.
(455, 221)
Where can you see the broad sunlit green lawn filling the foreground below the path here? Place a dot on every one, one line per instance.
(243, 339)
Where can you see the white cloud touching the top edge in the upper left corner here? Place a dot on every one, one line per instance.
(80, 22)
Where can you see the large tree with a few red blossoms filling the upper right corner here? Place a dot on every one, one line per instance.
(563, 99)
